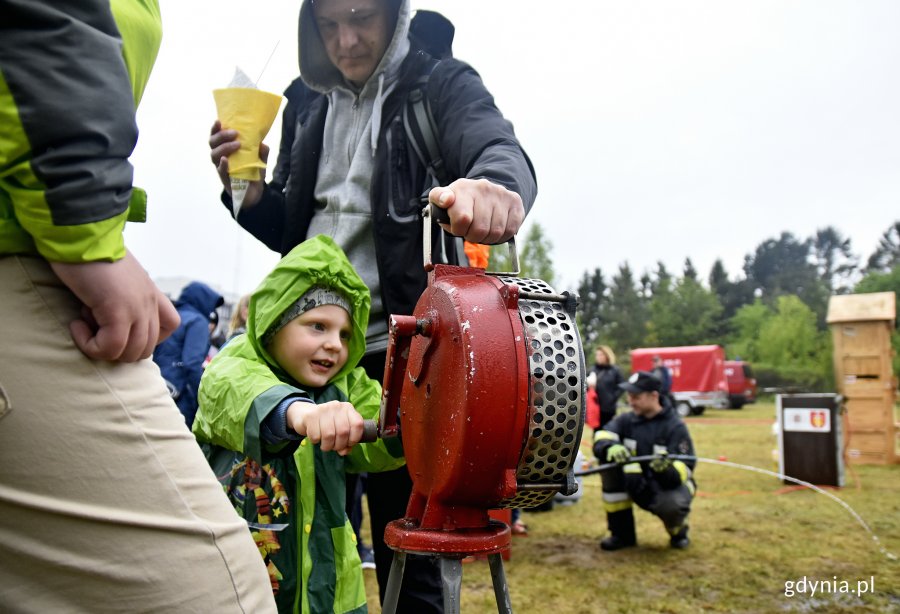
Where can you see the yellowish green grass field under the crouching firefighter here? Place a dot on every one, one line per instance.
(751, 534)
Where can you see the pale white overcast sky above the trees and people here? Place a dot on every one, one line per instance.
(659, 130)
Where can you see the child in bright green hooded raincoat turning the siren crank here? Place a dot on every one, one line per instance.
(281, 412)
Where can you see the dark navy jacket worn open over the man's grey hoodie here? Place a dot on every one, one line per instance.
(475, 140)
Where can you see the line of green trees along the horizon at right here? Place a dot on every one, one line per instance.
(772, 313)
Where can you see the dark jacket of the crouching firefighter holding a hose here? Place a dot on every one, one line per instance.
(663, 432)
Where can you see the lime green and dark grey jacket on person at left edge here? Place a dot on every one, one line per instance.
(68, 125)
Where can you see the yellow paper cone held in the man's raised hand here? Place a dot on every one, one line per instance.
(250, 112)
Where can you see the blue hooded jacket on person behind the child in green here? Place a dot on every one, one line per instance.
(181, 356)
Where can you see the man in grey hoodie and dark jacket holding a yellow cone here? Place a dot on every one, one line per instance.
(353, 175)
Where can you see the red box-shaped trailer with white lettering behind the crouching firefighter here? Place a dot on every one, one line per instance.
(698, 375)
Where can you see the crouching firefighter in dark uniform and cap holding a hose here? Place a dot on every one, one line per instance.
(663, 486)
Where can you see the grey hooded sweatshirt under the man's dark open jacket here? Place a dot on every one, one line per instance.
(352, 125)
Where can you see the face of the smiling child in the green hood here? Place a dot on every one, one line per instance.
(312, 347)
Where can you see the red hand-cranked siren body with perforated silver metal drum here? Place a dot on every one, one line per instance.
(485, 382)
